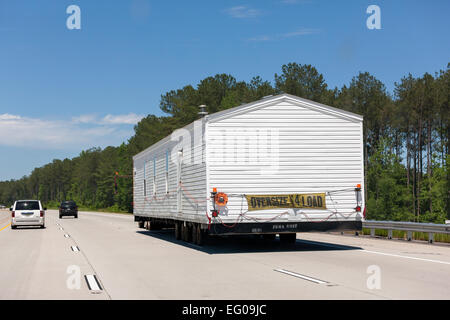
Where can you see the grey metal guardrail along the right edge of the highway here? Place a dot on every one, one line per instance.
(409, 227)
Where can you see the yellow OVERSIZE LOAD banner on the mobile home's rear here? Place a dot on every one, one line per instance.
(298, 201)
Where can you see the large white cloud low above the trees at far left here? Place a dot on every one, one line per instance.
(82, 132)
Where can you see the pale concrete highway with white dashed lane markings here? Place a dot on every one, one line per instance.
(133, 263)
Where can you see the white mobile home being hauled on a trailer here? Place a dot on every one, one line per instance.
(279, 165)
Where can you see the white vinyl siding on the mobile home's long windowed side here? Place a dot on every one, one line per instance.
(163, 200)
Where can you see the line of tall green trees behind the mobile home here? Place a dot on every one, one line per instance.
(406, 142)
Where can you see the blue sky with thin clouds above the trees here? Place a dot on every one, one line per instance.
(62, 91)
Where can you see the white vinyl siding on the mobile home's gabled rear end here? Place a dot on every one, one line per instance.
(318, 152)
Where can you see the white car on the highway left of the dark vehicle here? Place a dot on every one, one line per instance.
(27, 213)
